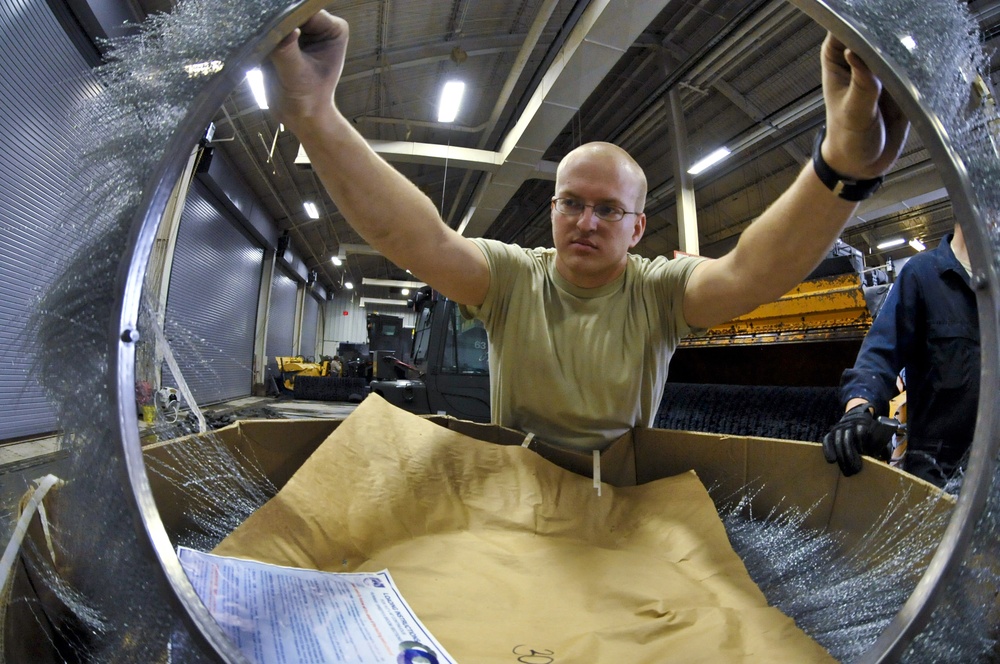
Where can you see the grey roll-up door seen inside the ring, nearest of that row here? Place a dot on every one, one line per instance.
(212, 301)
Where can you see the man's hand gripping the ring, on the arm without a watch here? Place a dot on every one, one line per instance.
(305, 69)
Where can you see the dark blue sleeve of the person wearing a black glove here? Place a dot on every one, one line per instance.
(882, 353)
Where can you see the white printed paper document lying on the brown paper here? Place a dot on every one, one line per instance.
(283, 615)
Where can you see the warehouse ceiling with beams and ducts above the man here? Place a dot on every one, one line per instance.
(544, 76)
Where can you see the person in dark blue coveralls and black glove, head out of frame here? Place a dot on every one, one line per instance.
(929, 327)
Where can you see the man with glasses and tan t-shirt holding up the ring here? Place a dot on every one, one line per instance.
(581, 334)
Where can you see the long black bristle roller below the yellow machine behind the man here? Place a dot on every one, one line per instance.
(791, 413)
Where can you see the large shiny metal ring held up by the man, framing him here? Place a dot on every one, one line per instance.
(949, 554)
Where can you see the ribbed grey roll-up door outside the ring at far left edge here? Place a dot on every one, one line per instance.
(44, 80)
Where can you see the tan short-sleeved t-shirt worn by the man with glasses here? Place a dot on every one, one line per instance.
(577, 366)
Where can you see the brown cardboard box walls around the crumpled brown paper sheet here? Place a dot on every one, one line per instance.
(771, 473)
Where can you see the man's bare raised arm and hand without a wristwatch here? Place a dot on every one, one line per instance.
(385, 208)
